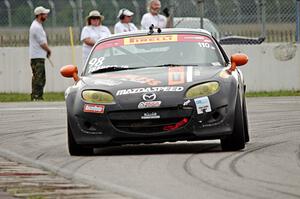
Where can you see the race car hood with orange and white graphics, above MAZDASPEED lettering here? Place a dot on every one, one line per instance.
(150, 77)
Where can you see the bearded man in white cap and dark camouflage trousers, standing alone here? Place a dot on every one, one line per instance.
(38, 51)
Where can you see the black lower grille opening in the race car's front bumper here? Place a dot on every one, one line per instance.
(145, 126)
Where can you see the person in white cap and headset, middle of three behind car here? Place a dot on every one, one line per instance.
(125, 25)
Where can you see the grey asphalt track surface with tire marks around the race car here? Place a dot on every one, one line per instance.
(269, 166)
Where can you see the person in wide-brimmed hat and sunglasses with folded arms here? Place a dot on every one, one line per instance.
(92, 32)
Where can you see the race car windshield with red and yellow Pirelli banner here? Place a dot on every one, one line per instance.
(153, 51)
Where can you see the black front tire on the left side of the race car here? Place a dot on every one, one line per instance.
(74, 148)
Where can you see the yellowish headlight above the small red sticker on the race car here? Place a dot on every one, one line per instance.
(97, 97)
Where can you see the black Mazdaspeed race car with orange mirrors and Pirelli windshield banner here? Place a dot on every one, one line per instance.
(157, 86)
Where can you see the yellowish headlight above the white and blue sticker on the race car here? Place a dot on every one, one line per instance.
(201, 90)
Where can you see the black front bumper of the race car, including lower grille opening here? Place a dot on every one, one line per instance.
(116, 127)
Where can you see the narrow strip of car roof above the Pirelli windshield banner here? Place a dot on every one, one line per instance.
(163, 32)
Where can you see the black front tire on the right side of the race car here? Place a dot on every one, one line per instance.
(235, 141)
